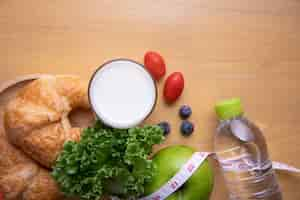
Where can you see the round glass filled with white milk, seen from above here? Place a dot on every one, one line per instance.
(122, 93)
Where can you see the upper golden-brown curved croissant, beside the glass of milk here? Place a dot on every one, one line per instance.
(37, 122)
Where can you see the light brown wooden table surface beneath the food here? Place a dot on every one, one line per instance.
(225, 48)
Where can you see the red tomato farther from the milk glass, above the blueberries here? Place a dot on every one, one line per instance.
(173, 87)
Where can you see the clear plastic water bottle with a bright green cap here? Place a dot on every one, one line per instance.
(242, 153)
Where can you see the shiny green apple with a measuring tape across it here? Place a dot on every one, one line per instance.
(168, 161)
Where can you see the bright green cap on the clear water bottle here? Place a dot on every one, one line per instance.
(228, 109)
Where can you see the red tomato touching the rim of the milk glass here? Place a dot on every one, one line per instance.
(155, 64)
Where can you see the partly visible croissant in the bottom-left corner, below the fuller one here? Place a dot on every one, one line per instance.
(23, 179)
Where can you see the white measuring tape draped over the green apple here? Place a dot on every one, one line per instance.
(189, 168)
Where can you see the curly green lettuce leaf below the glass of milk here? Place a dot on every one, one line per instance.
(107, 161)
